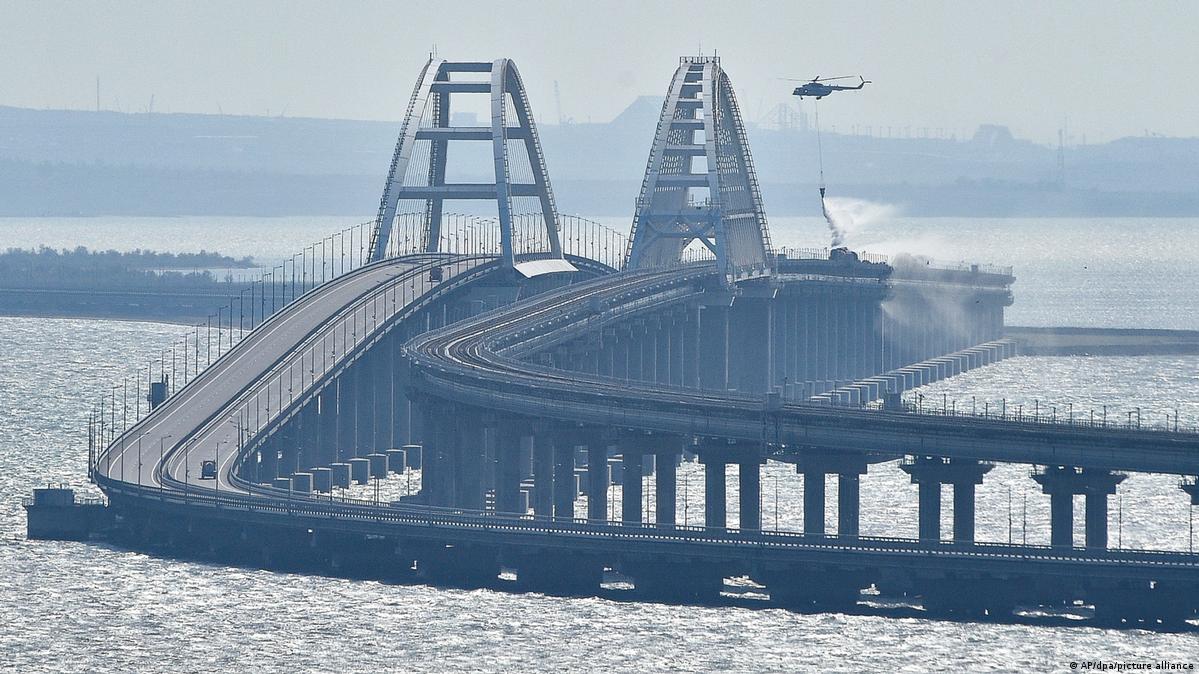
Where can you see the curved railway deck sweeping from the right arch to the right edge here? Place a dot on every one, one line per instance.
(480, 362)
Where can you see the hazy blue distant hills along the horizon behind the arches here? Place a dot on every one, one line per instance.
(69, 163)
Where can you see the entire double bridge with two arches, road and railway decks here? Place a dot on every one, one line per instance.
(517, 363)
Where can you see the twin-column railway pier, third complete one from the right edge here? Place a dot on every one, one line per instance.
(815, 466)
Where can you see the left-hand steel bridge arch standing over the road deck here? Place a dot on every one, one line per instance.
(419, 165)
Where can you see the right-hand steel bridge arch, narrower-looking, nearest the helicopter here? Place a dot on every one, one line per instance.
(700, 182)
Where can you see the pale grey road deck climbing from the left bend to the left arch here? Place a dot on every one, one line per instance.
(261, 376)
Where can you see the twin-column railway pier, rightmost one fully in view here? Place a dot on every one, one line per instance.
(1063, 483)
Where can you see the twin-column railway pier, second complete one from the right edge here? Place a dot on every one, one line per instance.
(930, 473)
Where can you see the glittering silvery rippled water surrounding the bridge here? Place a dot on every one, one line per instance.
(76, 607)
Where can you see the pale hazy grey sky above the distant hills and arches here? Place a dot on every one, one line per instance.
(1112, 69)
